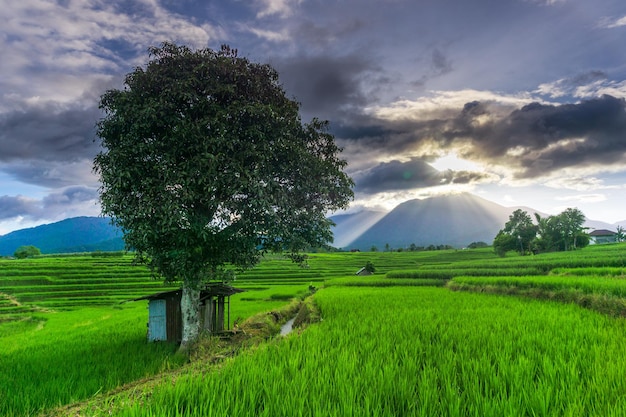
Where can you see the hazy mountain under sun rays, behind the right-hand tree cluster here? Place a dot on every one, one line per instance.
(455, 220)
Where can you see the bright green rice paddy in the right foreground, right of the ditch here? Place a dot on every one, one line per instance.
(467, 355)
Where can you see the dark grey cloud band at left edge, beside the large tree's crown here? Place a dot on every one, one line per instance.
(48, 132)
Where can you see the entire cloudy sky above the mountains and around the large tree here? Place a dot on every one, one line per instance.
(520, 102)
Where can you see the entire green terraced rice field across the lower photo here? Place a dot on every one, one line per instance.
(440, 333)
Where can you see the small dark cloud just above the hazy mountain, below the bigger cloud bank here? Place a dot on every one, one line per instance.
(414, 174)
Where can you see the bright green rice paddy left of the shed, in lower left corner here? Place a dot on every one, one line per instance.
(68, 356)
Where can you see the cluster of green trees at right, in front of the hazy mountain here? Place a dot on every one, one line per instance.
(561, 232)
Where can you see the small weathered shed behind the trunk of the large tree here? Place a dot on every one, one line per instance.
(165, 321)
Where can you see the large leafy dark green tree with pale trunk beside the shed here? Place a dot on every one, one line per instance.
(206, 163)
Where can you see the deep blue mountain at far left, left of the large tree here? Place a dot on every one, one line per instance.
(77, 234)
